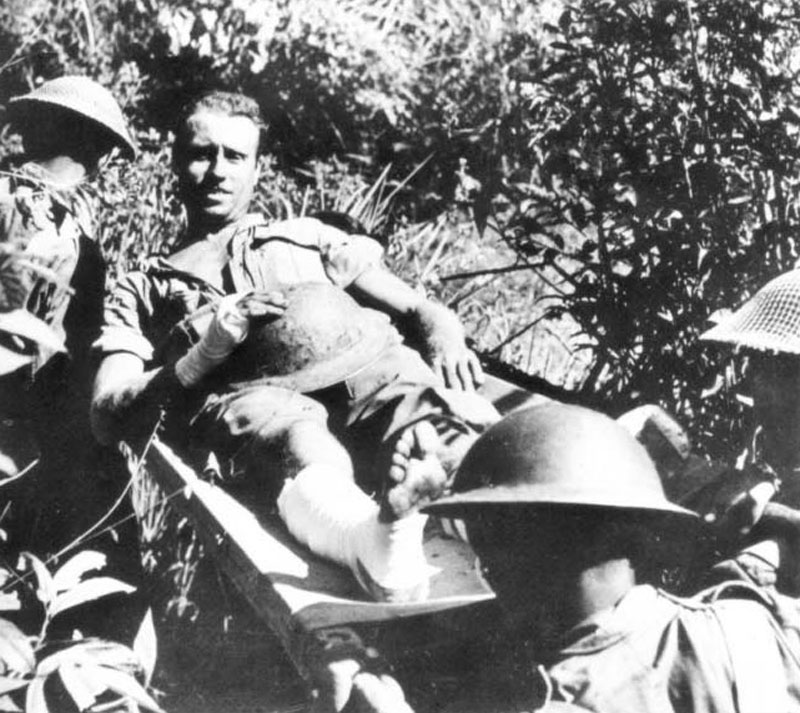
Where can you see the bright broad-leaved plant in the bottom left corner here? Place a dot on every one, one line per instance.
(91, 672)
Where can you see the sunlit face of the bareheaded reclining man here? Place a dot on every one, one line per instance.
(217, 167)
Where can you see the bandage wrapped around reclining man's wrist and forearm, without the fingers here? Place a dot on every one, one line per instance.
(227, 330)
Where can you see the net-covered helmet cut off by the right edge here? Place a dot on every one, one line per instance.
(768, 321)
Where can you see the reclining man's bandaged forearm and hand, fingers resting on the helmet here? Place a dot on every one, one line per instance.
(227, 330)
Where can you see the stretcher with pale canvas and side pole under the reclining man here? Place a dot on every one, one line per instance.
(313, 605)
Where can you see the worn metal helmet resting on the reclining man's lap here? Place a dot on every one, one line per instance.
(322, 338)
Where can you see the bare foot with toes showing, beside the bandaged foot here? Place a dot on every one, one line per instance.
(416, 476)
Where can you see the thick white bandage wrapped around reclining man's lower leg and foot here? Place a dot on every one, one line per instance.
(334, 518)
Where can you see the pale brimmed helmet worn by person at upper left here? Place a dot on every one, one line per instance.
(86, 97)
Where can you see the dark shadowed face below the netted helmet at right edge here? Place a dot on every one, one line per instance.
(775, 387)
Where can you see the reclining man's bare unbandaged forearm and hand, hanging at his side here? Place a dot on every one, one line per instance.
(433, 326)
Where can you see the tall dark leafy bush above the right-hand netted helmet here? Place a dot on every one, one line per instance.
(659, 180)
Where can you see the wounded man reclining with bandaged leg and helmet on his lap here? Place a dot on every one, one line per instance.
(322, 368)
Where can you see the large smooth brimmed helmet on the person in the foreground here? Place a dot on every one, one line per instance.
(556, 454)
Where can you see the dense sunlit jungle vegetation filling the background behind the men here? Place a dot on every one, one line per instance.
(586, 182)
